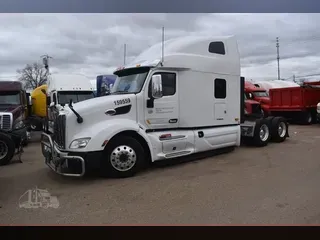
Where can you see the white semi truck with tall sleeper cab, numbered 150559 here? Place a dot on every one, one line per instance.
(154, 114)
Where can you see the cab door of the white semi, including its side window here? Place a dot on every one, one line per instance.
(163, 113)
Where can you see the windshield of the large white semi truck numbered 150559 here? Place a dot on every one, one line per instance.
(130, 80)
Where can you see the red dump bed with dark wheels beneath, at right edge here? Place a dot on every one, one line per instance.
(296, 103)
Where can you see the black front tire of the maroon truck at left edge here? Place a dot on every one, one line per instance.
(7, 149)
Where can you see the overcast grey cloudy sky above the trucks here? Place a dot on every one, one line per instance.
(92, 44)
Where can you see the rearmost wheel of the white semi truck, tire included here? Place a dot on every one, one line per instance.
(279, 129)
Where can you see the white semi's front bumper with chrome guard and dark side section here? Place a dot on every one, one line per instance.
(74, 164)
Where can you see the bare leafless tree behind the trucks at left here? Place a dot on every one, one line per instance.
(32, 75)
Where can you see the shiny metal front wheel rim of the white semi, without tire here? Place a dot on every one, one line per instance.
(123, 158)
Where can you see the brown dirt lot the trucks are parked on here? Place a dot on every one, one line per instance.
(278, 184)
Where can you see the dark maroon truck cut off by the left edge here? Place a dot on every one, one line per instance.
(13, 115)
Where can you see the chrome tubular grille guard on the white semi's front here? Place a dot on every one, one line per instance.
(58, 160)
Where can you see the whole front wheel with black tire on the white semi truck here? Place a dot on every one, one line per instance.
(111, 166)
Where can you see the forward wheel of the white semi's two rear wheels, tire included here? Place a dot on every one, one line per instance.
(261, 140)
